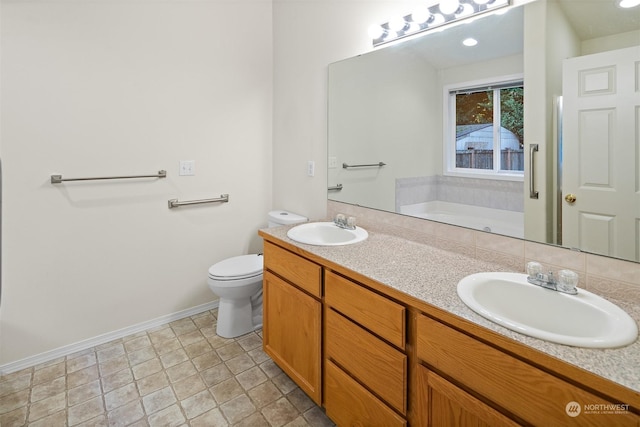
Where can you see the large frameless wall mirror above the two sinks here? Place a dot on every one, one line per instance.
(387, 125)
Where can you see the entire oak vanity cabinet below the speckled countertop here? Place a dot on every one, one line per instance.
(346, 342)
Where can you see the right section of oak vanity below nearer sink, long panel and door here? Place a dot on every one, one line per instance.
(484, 383)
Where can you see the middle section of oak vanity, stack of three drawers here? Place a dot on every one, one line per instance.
(365, 366)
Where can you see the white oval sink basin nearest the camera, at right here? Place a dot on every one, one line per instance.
(582, 320)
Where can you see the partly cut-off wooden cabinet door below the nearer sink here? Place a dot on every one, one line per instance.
(444, 404)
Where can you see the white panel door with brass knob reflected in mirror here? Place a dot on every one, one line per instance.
(601, 122)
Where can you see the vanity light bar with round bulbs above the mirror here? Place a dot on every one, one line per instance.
(425, 19)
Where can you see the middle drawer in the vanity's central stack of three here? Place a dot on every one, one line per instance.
(374, 363)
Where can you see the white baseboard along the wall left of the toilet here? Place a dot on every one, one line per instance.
(104, 338)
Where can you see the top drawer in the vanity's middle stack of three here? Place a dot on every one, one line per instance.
(376, 313)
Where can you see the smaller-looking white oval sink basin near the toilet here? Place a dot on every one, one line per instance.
(326, 234)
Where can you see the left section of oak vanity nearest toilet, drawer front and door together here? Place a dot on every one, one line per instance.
(292, 317)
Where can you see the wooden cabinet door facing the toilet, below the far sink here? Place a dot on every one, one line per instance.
(292, 332)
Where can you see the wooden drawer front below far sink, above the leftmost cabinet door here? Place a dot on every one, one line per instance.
(297, 270)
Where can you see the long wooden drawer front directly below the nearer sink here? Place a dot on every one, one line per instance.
(525, 391)
